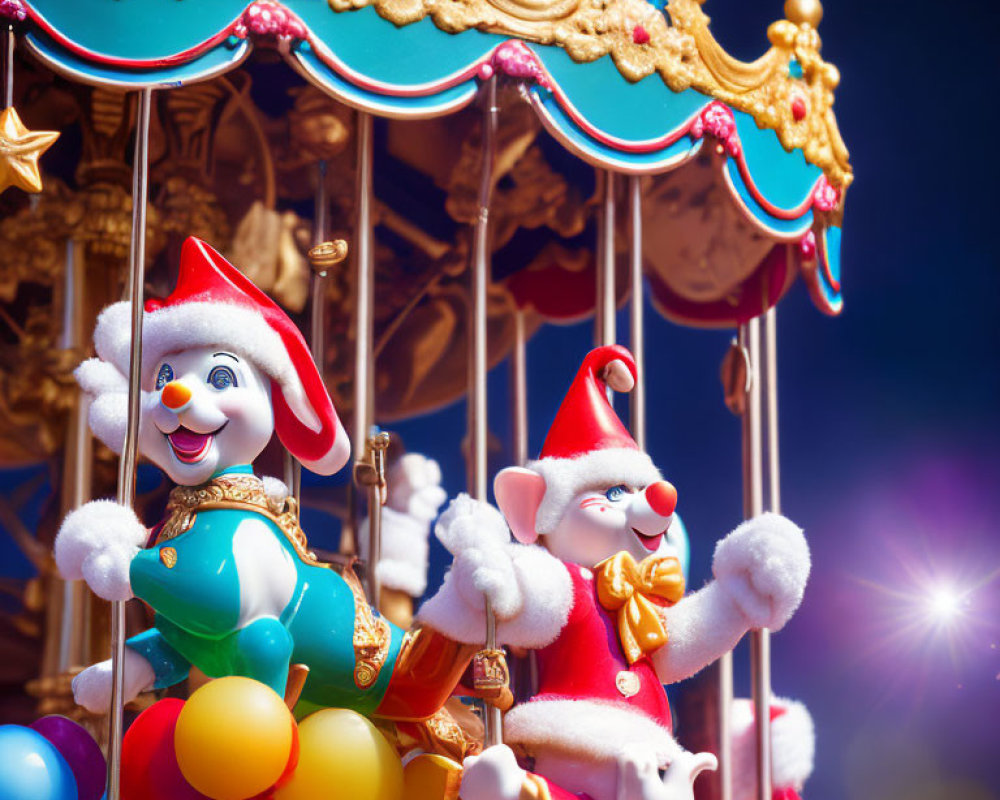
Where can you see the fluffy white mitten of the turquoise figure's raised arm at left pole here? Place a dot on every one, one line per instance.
(97, 543)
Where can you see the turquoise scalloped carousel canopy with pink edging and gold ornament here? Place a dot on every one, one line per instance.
(625, 85)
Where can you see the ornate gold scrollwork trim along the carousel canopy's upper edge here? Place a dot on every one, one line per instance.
(789, 89)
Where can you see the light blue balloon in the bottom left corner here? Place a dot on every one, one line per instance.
(31, 768)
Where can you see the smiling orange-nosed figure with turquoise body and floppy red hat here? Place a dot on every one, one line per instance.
(228, 571)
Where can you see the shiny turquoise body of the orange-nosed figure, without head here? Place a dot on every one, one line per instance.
(234, 596)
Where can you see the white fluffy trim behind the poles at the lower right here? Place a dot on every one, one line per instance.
(793, 745)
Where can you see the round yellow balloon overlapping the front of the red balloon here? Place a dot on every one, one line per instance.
(233, 738)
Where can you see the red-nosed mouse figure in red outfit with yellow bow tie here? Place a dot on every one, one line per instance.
(596, 589)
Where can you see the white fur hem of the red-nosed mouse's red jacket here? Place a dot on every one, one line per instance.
(589, 729)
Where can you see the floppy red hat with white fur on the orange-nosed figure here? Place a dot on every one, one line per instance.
(215, 304)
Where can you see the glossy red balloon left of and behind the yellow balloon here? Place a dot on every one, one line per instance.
(149, 764)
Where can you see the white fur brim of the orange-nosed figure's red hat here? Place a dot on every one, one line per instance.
(197, 324)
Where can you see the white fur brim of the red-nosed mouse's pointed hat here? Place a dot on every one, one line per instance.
(567, 477)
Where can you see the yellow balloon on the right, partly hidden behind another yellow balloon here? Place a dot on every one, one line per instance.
(342, 755)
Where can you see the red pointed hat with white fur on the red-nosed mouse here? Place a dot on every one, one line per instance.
(587, 446)
